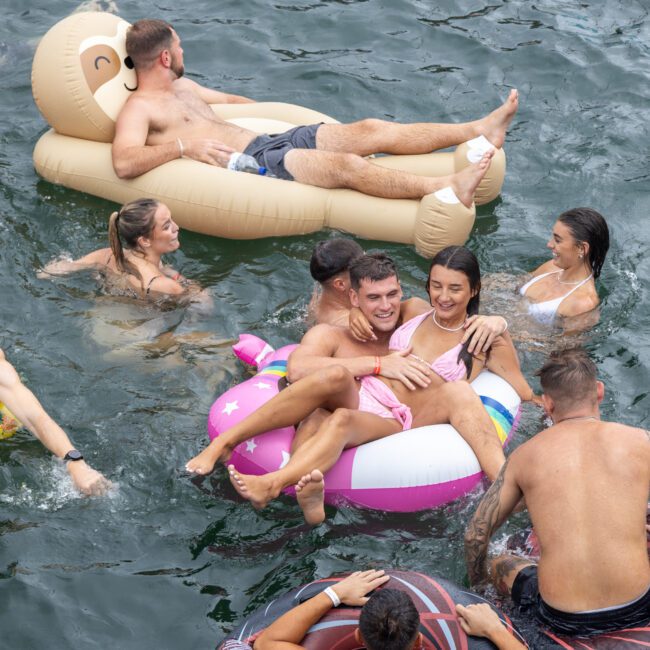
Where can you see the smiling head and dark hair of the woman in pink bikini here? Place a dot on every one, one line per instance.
(454, 288)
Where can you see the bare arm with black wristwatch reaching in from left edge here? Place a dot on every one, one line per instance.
(24, 405)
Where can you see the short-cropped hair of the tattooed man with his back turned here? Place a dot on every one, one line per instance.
(568, 376)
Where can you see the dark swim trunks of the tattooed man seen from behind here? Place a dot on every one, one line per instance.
(525, 594)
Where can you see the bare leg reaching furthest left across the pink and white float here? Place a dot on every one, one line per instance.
(331, 388)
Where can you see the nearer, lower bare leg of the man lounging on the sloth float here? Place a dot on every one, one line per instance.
(343, 170)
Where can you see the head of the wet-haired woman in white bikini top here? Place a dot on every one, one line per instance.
(580, 236)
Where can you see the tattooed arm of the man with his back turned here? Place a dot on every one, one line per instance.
(495, 506)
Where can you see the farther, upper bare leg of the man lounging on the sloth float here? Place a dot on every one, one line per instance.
(378, 136)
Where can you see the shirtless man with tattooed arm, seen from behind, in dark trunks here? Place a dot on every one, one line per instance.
(585, 483)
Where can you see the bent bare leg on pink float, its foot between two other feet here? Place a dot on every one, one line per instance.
(344, 428)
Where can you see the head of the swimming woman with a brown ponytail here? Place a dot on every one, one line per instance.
(145, 227)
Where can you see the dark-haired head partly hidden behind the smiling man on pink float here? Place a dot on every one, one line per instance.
(330, 263)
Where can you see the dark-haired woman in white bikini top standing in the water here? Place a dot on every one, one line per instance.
(565, 286)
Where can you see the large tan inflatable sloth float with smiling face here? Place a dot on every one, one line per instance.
(81, 77)
